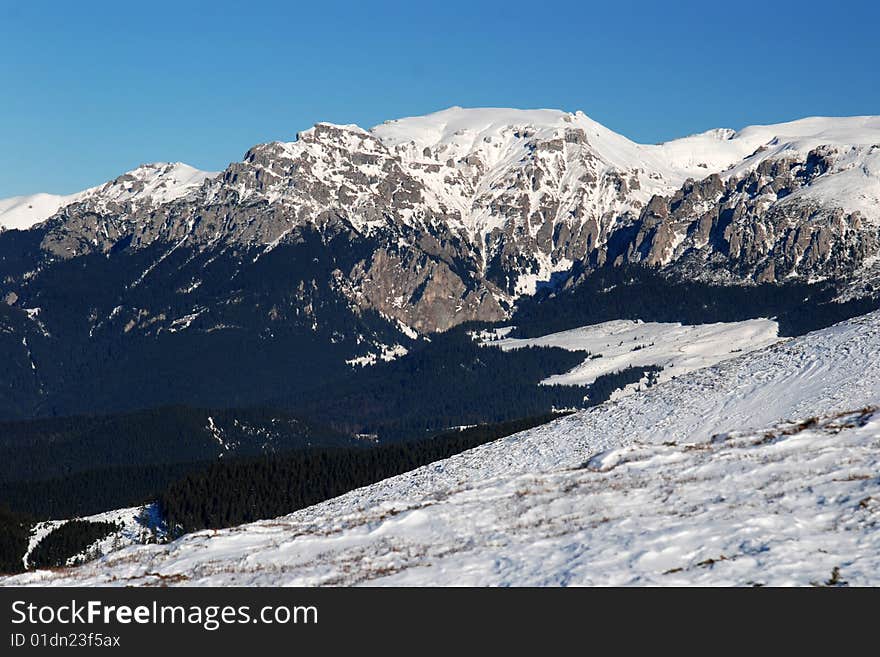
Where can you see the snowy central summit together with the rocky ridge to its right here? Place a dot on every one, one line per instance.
(555, 188)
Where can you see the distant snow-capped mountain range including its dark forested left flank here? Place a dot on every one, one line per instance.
(348, 247)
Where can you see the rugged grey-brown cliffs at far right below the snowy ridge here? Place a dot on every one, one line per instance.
(755, 226)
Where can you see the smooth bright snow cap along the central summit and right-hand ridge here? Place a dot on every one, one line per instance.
(498, 136)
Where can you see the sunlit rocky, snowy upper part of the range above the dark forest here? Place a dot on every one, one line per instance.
(451, 217)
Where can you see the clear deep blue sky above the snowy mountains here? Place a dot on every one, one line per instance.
(91, 89)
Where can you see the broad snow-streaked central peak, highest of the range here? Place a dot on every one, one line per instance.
(503, 173)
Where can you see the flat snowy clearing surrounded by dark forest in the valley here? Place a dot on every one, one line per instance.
(619, 344)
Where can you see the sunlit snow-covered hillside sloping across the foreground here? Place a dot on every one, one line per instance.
(759, 470)
